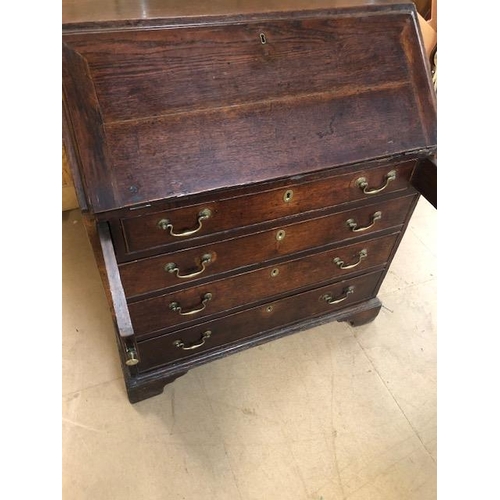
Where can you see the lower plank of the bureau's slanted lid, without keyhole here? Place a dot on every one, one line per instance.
(220, 148)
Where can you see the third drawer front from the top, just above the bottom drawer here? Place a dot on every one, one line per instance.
(196, 303)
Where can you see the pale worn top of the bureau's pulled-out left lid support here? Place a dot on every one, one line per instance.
(122, 315)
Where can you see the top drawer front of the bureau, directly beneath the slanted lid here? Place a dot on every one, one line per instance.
(181, 225)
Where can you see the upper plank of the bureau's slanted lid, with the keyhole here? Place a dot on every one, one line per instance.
(143, 74)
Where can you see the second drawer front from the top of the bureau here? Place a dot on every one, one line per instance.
(177, 269)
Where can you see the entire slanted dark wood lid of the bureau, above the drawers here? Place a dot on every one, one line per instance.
(238, 111)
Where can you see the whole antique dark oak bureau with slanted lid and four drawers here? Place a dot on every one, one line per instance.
(244, 169)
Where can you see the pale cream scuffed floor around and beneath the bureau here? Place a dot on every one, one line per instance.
(331, 413)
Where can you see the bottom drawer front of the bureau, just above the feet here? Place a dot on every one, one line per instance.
(214, 334)
